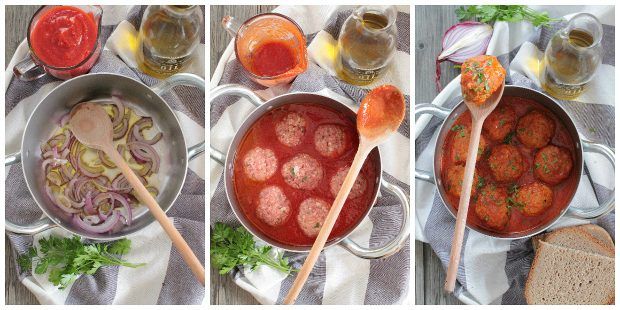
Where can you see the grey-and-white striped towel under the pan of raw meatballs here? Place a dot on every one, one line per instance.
(338, 277)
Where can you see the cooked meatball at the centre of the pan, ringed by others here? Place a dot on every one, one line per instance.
(506, 163)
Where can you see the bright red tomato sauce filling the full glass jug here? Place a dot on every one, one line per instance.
(64, 36)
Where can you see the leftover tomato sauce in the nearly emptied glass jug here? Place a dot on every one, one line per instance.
(272, 58)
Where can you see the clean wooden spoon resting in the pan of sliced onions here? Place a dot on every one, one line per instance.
(92, 126)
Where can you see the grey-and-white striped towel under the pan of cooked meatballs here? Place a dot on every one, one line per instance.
(494, 271)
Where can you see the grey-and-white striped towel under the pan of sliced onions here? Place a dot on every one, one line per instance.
(165, 279)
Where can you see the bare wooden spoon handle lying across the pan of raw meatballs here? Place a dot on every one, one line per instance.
(360, 157)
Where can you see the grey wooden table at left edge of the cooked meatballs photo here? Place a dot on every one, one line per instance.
(430, 24)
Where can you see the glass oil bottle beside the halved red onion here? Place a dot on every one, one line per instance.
(572, 57)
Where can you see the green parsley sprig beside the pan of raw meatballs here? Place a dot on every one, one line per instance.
(232, 247)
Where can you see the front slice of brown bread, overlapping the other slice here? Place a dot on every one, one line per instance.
(562, 275)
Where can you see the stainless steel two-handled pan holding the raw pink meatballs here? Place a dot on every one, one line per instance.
(227, 160)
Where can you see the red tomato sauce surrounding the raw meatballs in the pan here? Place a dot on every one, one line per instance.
(263, 134)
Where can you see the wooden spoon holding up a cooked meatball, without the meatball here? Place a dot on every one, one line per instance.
(479, 113)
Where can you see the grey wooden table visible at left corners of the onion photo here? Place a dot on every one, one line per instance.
(16, 25)
